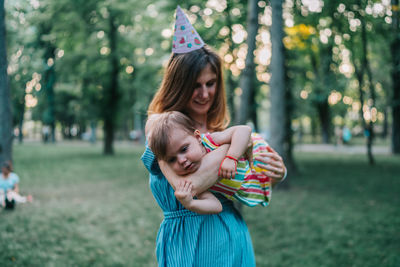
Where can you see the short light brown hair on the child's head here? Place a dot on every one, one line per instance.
(162, 127)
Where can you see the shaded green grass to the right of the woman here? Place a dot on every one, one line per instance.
(339, 212)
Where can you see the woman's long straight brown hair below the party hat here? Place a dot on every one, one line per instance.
(179, 82)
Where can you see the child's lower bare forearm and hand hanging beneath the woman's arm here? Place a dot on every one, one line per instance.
(206, 202)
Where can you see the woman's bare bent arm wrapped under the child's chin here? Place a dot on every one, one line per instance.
(204, 177)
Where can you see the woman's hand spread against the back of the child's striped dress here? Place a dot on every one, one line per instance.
(273, 164)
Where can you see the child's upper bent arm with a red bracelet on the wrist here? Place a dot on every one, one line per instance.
(240, 139)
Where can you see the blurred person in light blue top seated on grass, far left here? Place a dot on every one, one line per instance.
(9, 187)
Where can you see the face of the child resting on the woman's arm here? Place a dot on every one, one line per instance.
(184, 152)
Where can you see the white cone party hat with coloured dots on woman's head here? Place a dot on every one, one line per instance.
(185, 39)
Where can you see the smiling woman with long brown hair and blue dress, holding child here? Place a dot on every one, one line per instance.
(193, 84)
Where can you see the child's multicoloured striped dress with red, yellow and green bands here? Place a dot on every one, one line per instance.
(249, 186)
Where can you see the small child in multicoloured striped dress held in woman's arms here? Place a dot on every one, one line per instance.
(173, 139)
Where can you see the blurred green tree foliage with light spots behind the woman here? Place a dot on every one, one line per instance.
(322, 42)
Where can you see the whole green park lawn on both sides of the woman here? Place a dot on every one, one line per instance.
(93, 210)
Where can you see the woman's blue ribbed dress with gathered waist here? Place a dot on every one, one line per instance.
(187, 239)
